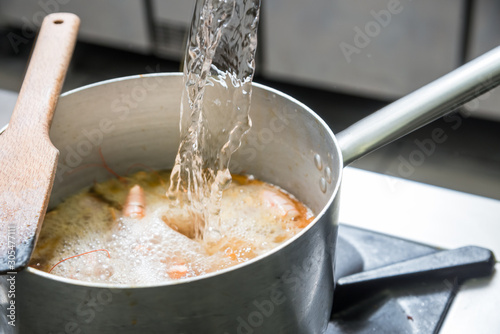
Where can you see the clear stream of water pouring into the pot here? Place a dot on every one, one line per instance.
(218, 69)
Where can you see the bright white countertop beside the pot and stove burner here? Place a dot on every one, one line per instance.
(419, 212)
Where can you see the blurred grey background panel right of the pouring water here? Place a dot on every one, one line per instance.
(377, 48)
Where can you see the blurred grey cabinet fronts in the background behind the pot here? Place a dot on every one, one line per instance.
(377, 48)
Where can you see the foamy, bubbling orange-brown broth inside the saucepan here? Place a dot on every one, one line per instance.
(161, 245)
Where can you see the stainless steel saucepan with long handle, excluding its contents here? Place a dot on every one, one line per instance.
(134, 121)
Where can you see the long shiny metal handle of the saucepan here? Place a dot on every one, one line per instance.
(421, 107)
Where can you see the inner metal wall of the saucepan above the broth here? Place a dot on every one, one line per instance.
(134, 123)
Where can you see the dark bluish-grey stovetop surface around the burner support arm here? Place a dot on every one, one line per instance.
(419, 307)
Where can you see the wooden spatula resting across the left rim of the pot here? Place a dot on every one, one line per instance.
(28, 160)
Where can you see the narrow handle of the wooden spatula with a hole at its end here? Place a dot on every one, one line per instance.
(46, 71)
